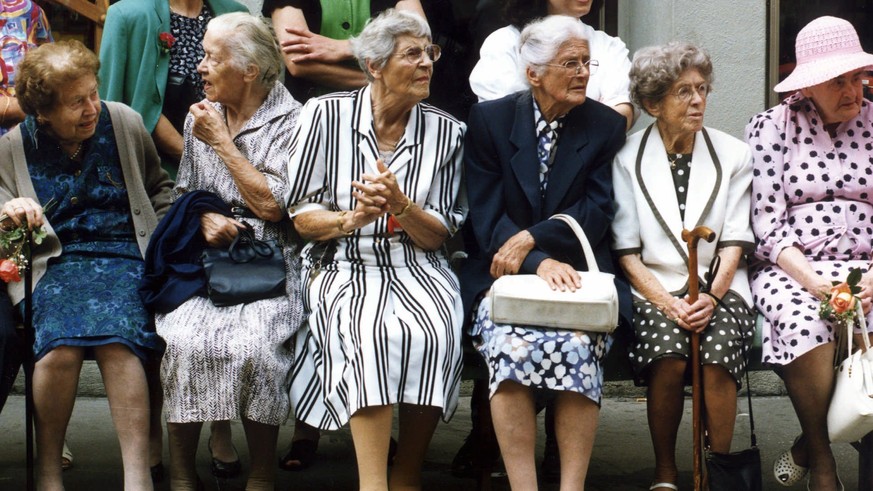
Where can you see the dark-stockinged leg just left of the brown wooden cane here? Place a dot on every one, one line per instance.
(665, 401)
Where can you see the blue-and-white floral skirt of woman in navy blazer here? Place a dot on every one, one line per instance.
(540, 358)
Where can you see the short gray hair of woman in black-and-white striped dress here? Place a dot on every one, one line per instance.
(377, 41)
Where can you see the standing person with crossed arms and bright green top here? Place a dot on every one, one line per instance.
(314, 37)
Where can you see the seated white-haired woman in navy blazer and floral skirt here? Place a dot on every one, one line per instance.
(529, 156)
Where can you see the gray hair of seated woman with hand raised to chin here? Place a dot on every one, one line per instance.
(249, 41)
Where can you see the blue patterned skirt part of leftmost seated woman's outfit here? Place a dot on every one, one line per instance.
(91, 300)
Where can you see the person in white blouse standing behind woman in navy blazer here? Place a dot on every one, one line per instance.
(500, 71)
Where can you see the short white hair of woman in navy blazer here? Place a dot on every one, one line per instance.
(541, 39)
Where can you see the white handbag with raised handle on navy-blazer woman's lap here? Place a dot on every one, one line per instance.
(526, 299)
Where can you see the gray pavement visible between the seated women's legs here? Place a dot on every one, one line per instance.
(622, 458)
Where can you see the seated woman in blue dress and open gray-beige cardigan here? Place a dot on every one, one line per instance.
(88, 172)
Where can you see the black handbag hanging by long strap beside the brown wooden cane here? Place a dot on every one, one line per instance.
(735, 471)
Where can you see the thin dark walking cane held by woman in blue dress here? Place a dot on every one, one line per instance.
(29, 336)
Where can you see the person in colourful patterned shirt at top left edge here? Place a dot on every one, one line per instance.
(23, 25)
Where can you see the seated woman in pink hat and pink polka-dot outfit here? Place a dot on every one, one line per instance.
(811, 209)
